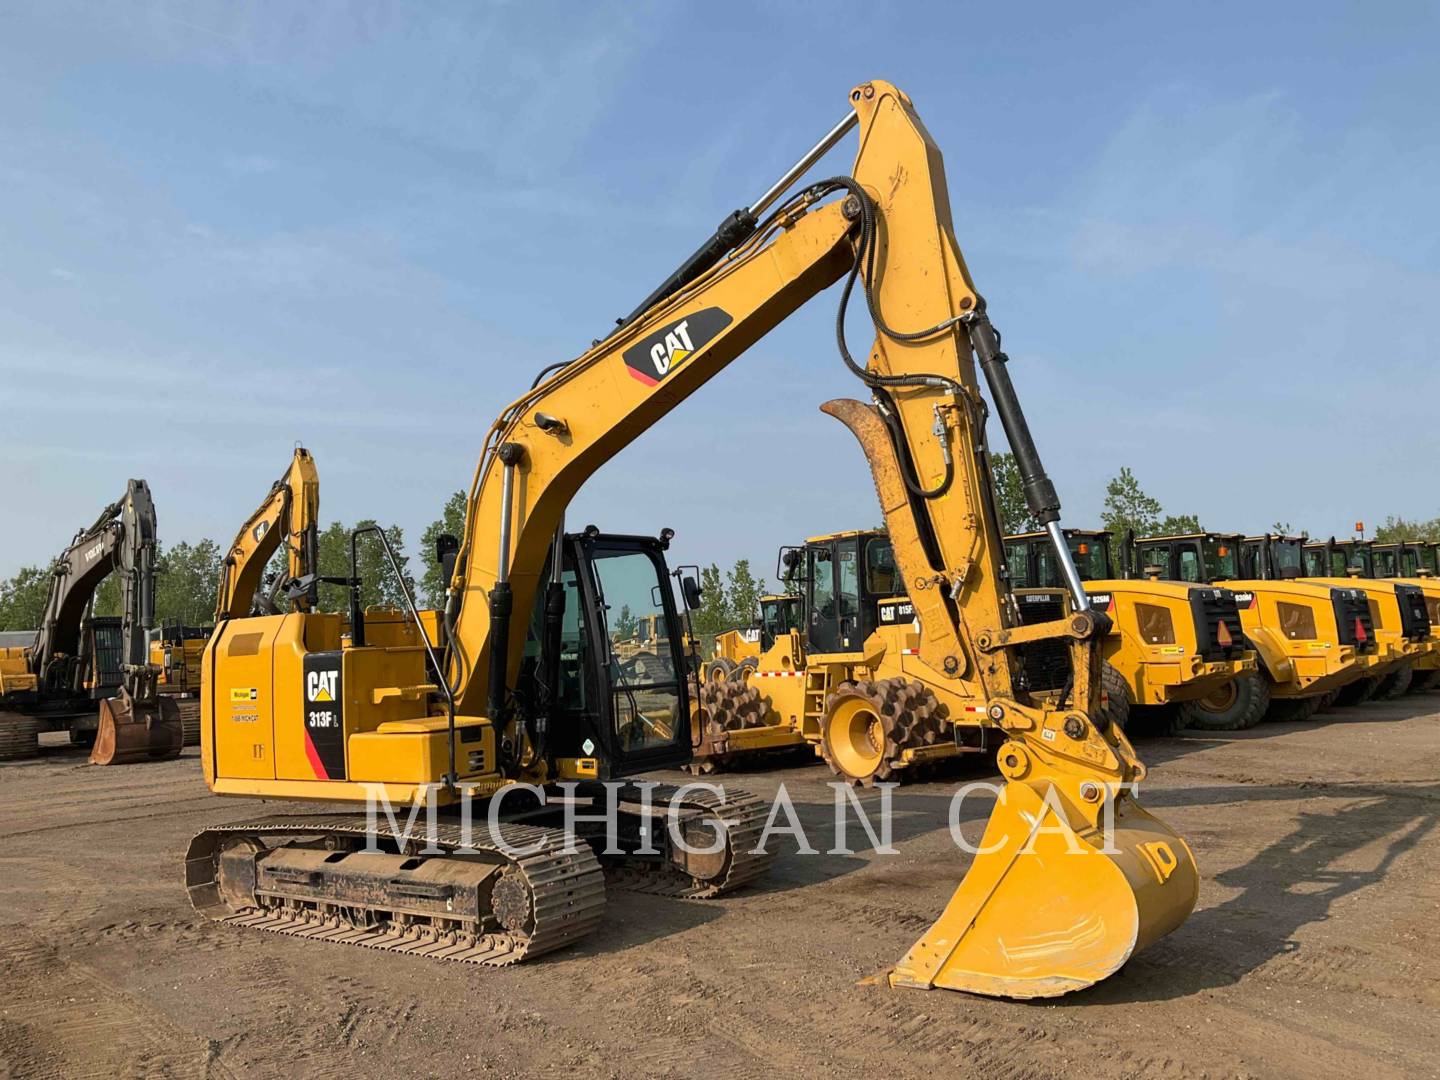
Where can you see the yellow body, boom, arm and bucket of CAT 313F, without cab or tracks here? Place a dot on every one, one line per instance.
(1074, 919)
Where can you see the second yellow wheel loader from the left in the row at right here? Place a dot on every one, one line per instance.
(1311, 639)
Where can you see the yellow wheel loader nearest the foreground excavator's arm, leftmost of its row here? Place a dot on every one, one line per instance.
(1169, 643)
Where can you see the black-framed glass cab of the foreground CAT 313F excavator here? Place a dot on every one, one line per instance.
(623, 693)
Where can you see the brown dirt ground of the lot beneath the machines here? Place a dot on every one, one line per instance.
(1307, 955)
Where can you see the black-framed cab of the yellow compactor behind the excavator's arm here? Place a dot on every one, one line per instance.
(846, 578)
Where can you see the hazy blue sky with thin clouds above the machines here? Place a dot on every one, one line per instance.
(1209, 234)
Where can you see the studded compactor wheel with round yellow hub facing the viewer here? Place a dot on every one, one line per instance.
(870, 724)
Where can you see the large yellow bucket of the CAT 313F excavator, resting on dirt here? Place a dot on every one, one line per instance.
(1049, 906)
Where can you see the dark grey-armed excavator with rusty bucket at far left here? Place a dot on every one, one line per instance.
(81, 662)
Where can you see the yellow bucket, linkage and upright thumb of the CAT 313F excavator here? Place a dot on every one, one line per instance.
(1072, 876)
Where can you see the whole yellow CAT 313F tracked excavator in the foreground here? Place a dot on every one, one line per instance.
(525, 689)
